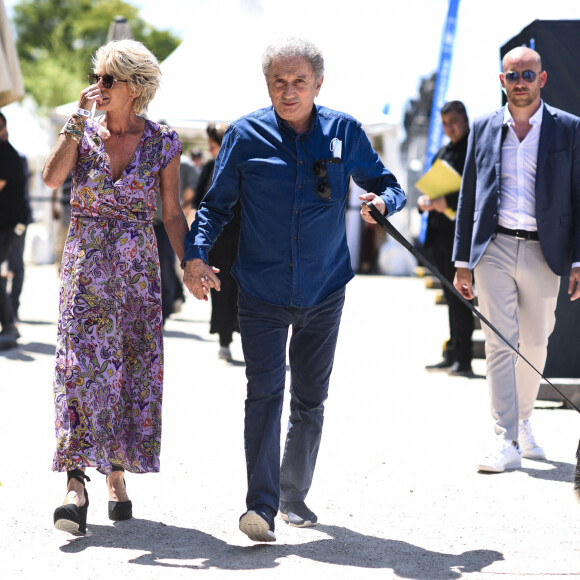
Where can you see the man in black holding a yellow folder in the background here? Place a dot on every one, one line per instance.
(439, 242)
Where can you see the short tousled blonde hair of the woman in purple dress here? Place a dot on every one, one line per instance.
(131, 61)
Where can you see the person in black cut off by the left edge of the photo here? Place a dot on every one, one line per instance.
(13, 218)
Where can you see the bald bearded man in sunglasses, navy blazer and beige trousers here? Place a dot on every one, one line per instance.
(517, 232)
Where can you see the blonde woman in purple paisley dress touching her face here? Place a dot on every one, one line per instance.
(109, 357)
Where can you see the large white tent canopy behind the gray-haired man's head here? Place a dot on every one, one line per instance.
(215, 74)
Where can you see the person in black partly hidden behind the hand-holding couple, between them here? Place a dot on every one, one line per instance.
(224, 304)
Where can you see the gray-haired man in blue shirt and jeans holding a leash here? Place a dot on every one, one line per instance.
(290, 165)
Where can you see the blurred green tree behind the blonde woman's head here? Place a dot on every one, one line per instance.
(56, 39)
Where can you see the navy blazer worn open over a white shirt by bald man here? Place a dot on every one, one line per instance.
(557, 189)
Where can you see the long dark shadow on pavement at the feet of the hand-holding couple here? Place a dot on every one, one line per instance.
(174, 547)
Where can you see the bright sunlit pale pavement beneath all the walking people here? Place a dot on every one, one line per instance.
(396, 489)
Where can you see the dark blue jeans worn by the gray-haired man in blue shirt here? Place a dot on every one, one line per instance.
(264, 331)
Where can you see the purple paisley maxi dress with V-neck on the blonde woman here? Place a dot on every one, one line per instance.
(109, 355)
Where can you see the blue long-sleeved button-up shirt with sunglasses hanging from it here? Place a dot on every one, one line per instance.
(293, 249)
